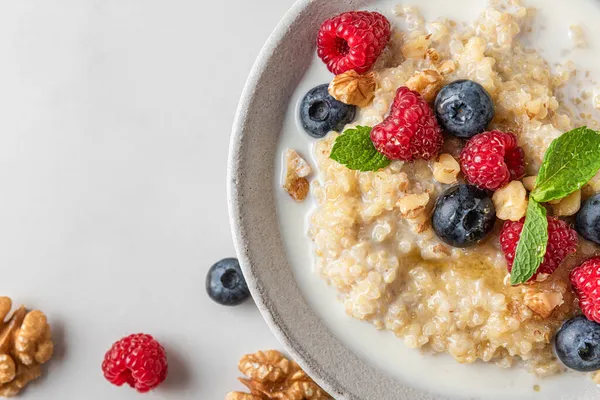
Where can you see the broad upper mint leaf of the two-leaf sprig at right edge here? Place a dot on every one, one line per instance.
(569, 163)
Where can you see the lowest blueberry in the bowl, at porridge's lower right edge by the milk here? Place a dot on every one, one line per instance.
(577, 344)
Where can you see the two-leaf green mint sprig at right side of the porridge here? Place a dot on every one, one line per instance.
(570, 162)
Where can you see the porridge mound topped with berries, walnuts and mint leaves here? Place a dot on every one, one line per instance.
(447, 210)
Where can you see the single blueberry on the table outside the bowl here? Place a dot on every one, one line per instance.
(225, 283)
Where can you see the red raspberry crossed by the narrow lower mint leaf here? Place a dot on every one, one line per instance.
(562, 240)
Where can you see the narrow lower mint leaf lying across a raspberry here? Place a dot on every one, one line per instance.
(532, 244)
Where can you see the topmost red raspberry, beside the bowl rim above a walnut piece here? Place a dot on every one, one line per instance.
(353, 40)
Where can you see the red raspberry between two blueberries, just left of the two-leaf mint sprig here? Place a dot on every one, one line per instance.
(491, 160)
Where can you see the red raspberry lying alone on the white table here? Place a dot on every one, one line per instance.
(137, 360)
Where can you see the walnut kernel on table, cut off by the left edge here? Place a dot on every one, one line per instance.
(25, 344)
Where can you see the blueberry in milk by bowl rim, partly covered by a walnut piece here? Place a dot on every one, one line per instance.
(320, 113)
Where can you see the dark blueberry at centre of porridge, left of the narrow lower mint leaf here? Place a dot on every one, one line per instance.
(463, 215)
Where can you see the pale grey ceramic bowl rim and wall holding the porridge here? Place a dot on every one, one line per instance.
(256, 229)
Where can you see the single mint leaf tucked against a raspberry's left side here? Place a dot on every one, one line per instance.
(355, 150)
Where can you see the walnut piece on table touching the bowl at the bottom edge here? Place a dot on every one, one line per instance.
(270, 376)
